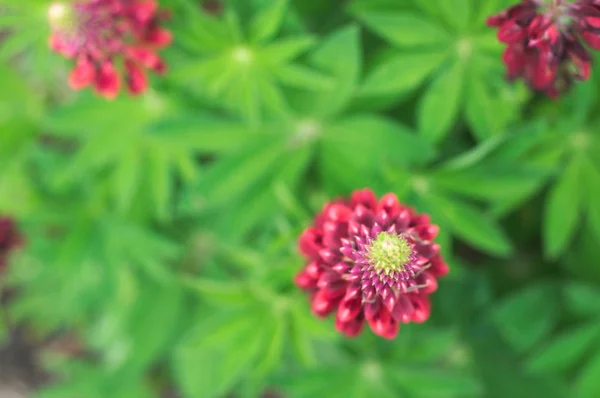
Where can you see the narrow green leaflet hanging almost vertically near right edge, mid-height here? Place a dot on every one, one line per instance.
(563, 209)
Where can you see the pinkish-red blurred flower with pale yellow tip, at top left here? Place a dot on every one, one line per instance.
(109, 39)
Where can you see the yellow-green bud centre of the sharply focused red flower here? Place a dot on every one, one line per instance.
(389, 252)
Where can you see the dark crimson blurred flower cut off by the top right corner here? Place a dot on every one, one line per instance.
(544, 41)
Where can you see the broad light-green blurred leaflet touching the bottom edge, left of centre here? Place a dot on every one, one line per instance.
(204, 368)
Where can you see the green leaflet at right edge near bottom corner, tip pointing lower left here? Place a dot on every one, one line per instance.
(566, 350)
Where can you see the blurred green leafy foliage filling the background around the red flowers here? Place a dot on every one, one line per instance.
(161, 230)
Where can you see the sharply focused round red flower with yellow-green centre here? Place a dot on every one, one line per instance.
(370, 260)
